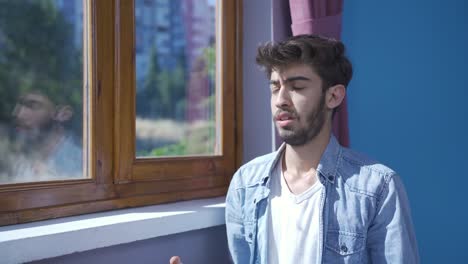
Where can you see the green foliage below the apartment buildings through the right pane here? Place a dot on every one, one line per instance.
(164, 96)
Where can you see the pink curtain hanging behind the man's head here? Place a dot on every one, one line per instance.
(322, 17)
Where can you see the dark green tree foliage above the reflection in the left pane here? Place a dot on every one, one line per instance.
(37, 53)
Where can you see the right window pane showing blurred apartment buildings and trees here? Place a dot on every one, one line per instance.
(176, 93)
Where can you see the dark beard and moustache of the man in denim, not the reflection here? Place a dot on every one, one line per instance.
(315, 121)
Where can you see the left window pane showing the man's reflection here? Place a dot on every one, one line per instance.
(41, 94)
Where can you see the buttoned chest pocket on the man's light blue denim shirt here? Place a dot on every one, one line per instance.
(345, 243)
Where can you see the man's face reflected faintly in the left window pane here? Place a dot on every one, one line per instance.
(33, 115)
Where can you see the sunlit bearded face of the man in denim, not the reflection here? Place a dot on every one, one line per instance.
(297, 103)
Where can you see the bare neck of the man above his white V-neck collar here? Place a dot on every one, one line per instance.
(300, 160)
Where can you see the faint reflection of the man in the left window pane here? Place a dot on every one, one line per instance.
(46, 150)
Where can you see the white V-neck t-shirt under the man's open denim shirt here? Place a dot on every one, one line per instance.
(293, 227)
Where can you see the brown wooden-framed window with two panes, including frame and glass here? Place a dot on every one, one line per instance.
(148, 108)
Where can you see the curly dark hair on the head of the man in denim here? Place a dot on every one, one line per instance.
(325, 55)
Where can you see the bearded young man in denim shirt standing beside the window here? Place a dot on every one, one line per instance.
(314, 201)
